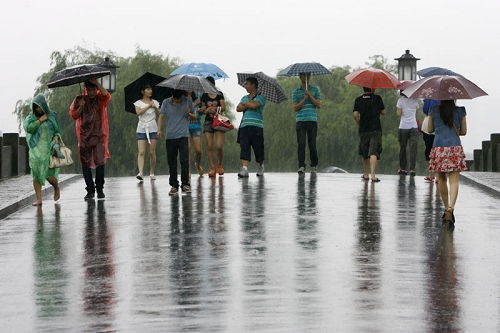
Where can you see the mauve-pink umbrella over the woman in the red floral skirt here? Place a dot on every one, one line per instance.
(444, 87)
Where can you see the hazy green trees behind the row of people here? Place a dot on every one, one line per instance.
(337, 132)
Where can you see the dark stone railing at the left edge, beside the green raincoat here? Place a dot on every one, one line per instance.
(14, 159)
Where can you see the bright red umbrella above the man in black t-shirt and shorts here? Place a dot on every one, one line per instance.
(372, 78)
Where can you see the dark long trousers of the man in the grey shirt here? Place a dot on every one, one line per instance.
(178, 147)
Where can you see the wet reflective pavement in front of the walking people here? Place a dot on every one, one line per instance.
(280, 253)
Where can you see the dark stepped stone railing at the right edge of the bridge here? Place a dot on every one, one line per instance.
(487, 158)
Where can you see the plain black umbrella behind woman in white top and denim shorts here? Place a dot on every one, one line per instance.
(133, 90)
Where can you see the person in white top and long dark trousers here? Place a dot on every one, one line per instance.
(408, 132)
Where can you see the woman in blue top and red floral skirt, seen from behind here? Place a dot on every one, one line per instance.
(447, 155)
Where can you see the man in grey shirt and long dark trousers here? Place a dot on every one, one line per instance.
(177, 110)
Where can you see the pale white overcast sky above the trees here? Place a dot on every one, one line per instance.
(260, 36)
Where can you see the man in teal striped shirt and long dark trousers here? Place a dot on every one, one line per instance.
(306, 100)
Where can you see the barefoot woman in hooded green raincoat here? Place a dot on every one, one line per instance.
(42, 127)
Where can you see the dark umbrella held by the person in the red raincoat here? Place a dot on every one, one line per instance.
(76, 74)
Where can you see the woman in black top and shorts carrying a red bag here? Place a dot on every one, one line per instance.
(210, 105)
